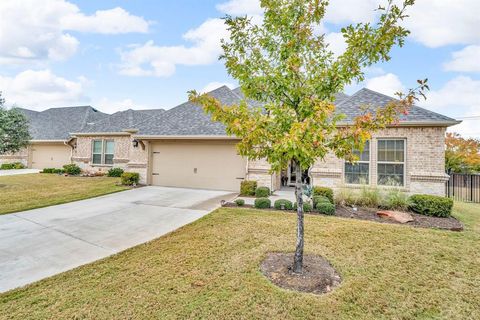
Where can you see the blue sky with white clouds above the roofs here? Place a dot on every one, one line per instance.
(144, 54)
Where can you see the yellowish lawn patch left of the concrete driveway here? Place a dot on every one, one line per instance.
(30, 191)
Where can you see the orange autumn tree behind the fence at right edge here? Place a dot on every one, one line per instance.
(461, 155)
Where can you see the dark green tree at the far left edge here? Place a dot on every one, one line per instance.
(14, 133)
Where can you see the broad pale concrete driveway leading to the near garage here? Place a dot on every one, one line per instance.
(42, 242)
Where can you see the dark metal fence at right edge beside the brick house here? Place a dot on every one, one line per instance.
(464, 187)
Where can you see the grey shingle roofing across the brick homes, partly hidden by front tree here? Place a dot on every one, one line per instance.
(188, 119)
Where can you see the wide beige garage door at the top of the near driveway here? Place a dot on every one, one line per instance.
(206, 165)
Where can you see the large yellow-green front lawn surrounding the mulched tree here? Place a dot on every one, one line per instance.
(210, 269)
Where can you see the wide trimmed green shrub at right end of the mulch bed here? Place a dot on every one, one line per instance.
(431, 205)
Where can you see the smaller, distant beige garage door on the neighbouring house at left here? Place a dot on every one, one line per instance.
(50, 156)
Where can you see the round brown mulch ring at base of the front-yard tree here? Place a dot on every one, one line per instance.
(318, 276)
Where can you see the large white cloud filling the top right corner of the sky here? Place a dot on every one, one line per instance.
(437, 23)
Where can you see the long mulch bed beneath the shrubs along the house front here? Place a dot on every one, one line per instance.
(419, 220)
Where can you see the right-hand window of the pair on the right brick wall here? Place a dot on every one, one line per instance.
(391, 162)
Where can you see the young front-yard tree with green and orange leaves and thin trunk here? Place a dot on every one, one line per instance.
(286, 66)
